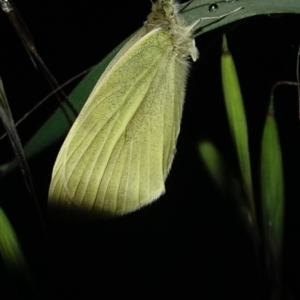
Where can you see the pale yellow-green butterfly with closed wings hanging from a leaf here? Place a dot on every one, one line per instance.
(119, 151)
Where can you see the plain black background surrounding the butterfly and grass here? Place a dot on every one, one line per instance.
(190, 242)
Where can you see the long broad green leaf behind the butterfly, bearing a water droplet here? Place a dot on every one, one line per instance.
(57, 126)
